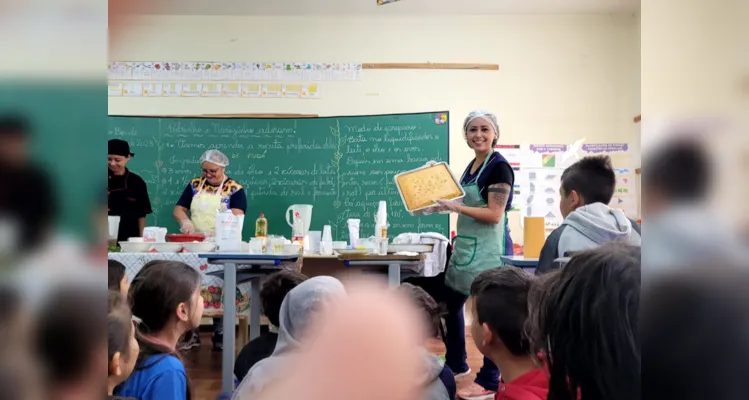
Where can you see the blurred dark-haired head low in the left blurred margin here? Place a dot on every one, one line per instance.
(70, 327)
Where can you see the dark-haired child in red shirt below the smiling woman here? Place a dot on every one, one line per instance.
(499, 315)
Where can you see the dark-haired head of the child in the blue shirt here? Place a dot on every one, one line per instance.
(166, 294)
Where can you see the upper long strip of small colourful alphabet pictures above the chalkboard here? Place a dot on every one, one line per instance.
(233, 71)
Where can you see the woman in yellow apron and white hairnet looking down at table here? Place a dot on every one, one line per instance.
(212, 191)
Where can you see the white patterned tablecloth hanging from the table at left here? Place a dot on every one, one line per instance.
(212, 287)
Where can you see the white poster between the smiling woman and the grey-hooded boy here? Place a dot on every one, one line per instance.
(541, 169)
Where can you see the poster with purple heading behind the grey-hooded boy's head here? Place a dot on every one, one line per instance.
(622, 159)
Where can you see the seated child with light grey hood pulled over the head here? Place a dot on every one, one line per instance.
(298, 310)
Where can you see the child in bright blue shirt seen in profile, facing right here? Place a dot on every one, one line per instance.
(165, 297)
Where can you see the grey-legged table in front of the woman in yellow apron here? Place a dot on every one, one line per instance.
(260, 265)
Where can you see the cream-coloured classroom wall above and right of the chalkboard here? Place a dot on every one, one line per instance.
(561, 77)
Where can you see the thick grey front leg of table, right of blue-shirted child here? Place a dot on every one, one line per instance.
(230, 319)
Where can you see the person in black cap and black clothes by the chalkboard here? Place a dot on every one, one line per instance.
(128, 193)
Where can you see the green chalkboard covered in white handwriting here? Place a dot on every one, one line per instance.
(343, 166)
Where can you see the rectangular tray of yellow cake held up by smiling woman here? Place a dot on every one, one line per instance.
(419, 188)
